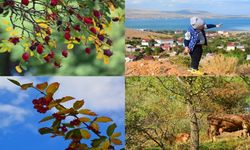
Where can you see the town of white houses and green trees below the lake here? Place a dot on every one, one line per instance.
(156, 47)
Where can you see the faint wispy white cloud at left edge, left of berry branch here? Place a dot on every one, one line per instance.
(10, 115)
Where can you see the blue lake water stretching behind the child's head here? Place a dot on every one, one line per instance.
(229, 24)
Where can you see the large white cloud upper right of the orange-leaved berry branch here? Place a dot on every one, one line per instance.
(99, 93)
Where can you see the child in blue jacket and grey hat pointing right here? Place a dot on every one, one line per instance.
(195, 37)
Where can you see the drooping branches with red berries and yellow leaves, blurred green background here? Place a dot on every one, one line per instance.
(49, 29)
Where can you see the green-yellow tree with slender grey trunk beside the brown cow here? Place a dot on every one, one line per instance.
(179, 104)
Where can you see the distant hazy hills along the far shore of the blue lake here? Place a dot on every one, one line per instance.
(138, 13)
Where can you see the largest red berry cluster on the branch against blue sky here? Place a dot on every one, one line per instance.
(41, 104)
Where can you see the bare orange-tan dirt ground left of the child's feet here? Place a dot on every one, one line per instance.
(154, 68)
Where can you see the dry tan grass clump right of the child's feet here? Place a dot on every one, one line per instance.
(219, 65)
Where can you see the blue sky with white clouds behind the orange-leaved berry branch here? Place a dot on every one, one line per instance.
(19, 121)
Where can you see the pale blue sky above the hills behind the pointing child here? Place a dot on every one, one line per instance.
(229, 7)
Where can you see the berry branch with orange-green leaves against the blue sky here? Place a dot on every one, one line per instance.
(76, 123)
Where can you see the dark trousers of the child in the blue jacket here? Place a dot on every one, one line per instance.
(196, 56)
